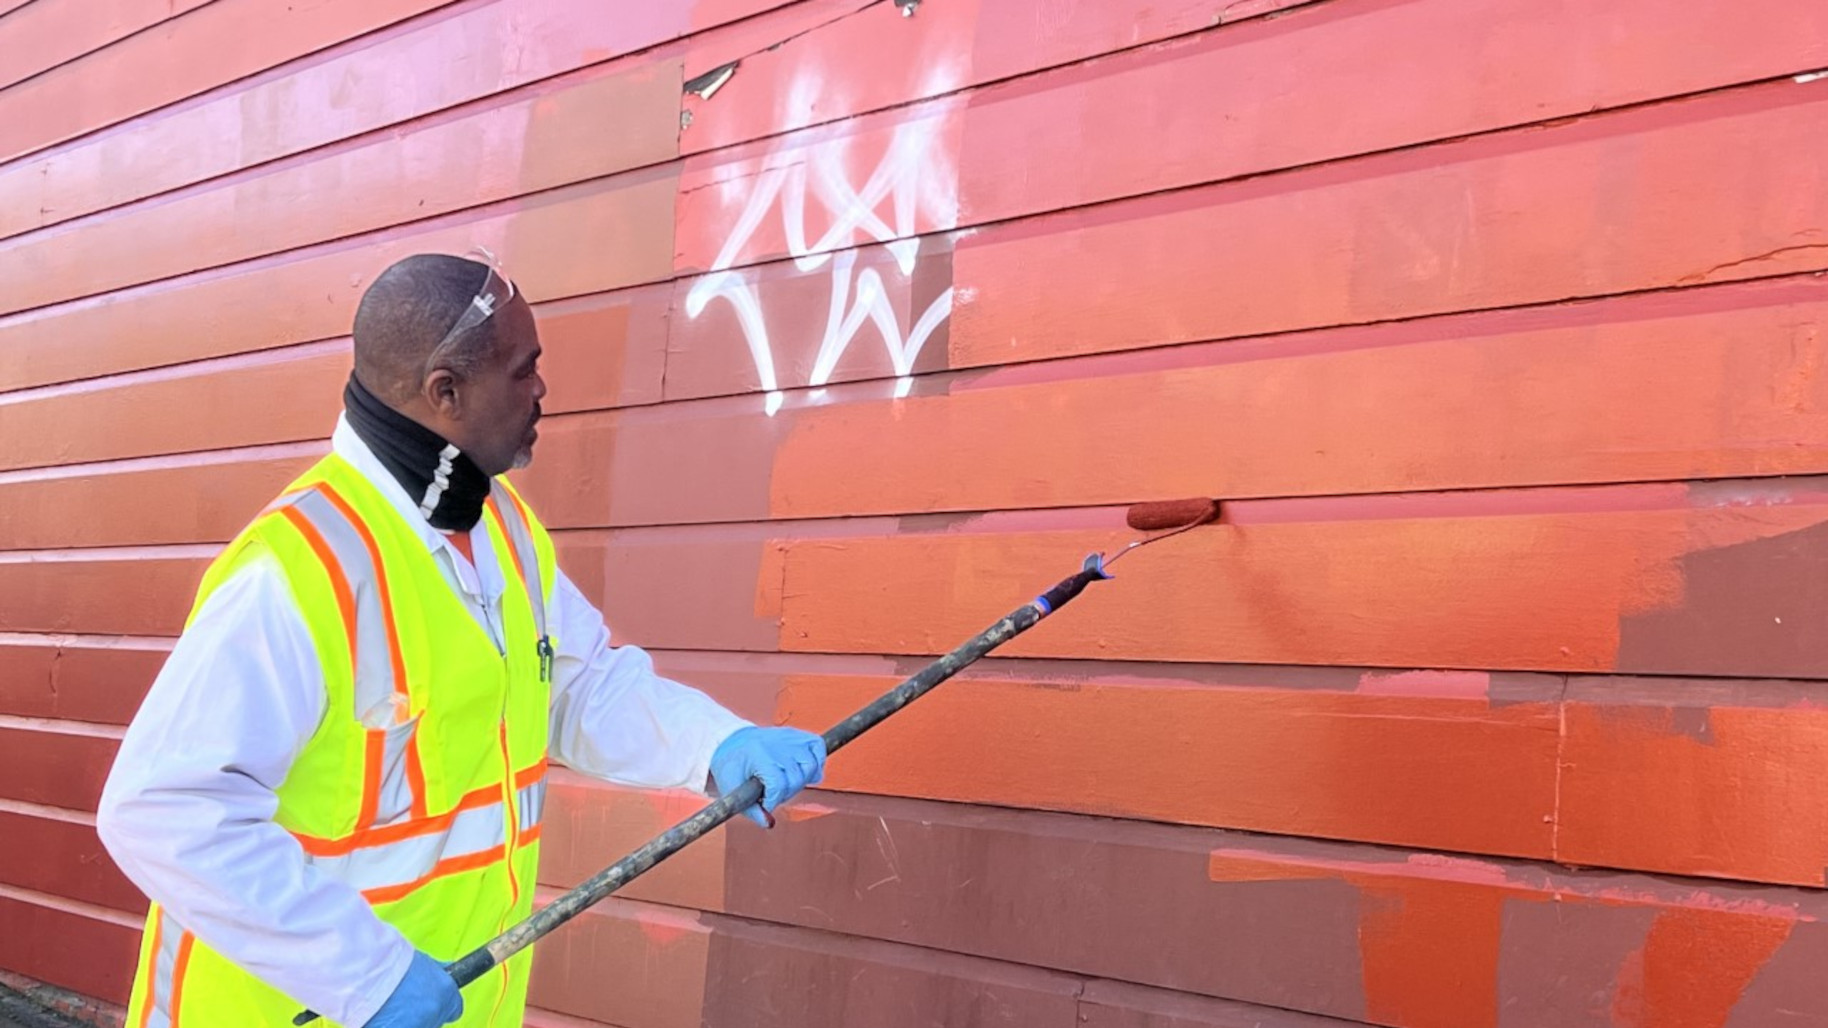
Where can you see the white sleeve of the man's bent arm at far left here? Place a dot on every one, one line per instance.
(189, 804)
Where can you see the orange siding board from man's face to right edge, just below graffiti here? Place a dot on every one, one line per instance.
(1705, 383)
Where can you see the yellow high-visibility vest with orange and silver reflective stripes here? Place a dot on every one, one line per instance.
(425, 784)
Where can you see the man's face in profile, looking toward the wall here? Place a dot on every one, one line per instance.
(502, 400)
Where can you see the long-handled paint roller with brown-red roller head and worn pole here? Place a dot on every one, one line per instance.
(1160, 520)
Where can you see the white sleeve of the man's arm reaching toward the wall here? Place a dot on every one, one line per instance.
(615, 718)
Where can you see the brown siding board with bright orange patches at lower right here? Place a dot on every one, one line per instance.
(1323, 928)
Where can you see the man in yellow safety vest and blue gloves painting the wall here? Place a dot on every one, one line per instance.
(337, 780)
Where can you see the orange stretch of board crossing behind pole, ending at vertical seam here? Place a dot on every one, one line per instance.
(1418, 771)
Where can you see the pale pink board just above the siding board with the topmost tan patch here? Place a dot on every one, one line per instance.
(356, 89)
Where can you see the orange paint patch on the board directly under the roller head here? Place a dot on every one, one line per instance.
(1478, 590)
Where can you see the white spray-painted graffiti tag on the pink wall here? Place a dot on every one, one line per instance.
(915, 178)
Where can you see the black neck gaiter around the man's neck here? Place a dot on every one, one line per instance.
(449, 487)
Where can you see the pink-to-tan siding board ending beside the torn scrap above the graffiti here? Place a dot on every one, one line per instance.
(533, 144)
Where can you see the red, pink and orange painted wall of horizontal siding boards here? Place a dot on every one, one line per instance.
(1496, 703)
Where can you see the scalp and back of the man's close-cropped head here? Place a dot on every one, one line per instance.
(405, 316)
